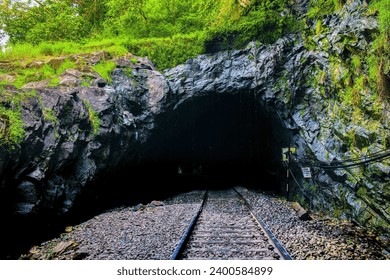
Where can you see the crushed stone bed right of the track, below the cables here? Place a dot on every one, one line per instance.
(322, 238)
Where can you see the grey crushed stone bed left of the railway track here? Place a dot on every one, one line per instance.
(133, 233)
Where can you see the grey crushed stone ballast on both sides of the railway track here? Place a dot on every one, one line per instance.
(153, 231)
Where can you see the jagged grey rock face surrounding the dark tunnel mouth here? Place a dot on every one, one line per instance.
(74, 135)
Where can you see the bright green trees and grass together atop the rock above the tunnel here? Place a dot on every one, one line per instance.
(168, 32)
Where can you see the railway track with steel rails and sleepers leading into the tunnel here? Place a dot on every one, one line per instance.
(225, 227)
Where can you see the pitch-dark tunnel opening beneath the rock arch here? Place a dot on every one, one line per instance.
(215, 142)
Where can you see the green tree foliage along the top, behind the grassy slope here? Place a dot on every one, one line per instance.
(53, 20)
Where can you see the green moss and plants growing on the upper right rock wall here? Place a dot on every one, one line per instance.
(360, 77)
